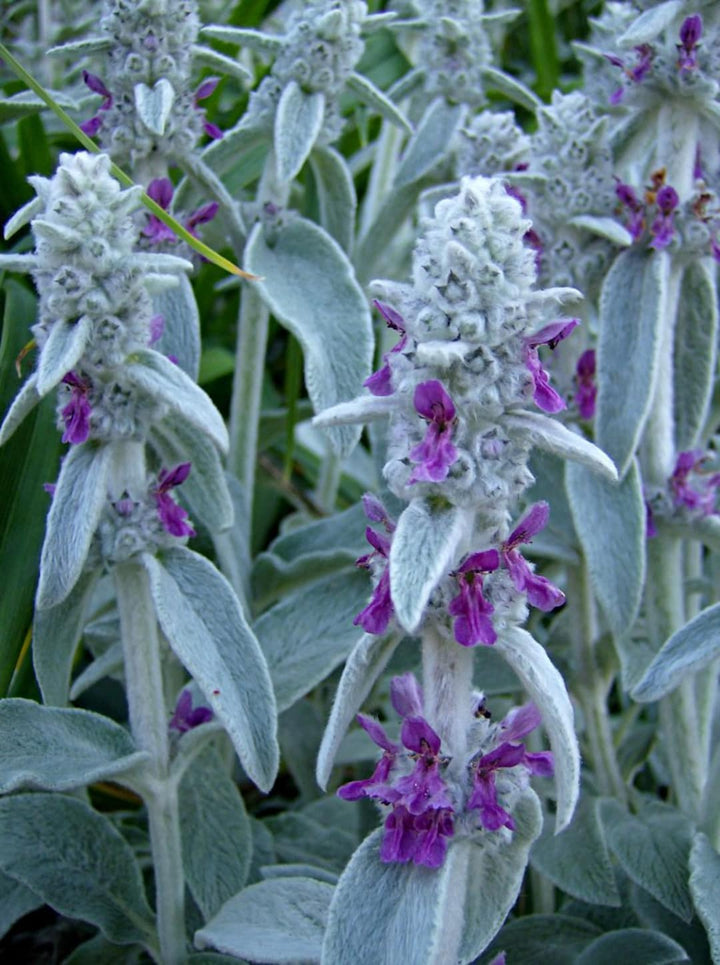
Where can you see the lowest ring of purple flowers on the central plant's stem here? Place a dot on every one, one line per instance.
(427, 802)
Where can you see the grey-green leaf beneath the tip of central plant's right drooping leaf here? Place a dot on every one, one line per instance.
(577, 860)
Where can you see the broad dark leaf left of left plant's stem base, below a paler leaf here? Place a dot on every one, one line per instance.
(76, 861)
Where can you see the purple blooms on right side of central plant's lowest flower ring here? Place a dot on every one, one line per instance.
(517, 724)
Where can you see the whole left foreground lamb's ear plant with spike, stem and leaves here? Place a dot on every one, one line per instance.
(122, 406)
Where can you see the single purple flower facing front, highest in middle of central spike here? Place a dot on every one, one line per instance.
(436, 453)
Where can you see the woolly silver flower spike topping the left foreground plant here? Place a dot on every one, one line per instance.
(95, 329)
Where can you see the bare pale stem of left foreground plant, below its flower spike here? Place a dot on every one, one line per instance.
(149, 725)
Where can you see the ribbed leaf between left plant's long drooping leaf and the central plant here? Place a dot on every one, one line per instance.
(307, 634)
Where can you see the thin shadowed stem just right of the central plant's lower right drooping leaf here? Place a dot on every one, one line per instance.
(591, 689)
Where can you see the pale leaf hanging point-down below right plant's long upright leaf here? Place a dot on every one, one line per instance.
(610, 522)
